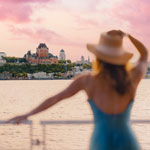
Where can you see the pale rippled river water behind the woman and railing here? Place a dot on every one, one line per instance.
(18, 97)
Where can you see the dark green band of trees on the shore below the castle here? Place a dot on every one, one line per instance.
(19, 67)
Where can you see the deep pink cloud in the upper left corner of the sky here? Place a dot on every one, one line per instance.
(18, 11)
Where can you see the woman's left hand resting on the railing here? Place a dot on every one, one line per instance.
(18, 119)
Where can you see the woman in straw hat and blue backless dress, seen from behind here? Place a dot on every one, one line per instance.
(111, 91)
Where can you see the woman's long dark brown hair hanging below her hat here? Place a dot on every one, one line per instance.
(117, 73)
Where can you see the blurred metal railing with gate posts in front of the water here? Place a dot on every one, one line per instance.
(58, 122)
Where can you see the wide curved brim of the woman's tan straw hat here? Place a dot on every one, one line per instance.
(117, 60)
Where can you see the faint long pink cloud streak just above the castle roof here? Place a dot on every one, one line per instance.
(42, 35)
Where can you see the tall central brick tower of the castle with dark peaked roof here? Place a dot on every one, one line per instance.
(42, 50)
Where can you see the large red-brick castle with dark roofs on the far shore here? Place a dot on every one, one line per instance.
(42, 56)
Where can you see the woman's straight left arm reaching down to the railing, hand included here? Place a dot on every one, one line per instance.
(77, 85)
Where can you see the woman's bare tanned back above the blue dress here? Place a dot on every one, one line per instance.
(106, 98)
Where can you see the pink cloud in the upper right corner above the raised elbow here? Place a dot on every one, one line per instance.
(136, 12)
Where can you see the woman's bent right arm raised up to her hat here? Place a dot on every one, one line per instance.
(140, 69)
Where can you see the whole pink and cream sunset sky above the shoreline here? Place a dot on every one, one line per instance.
(69, 24)
